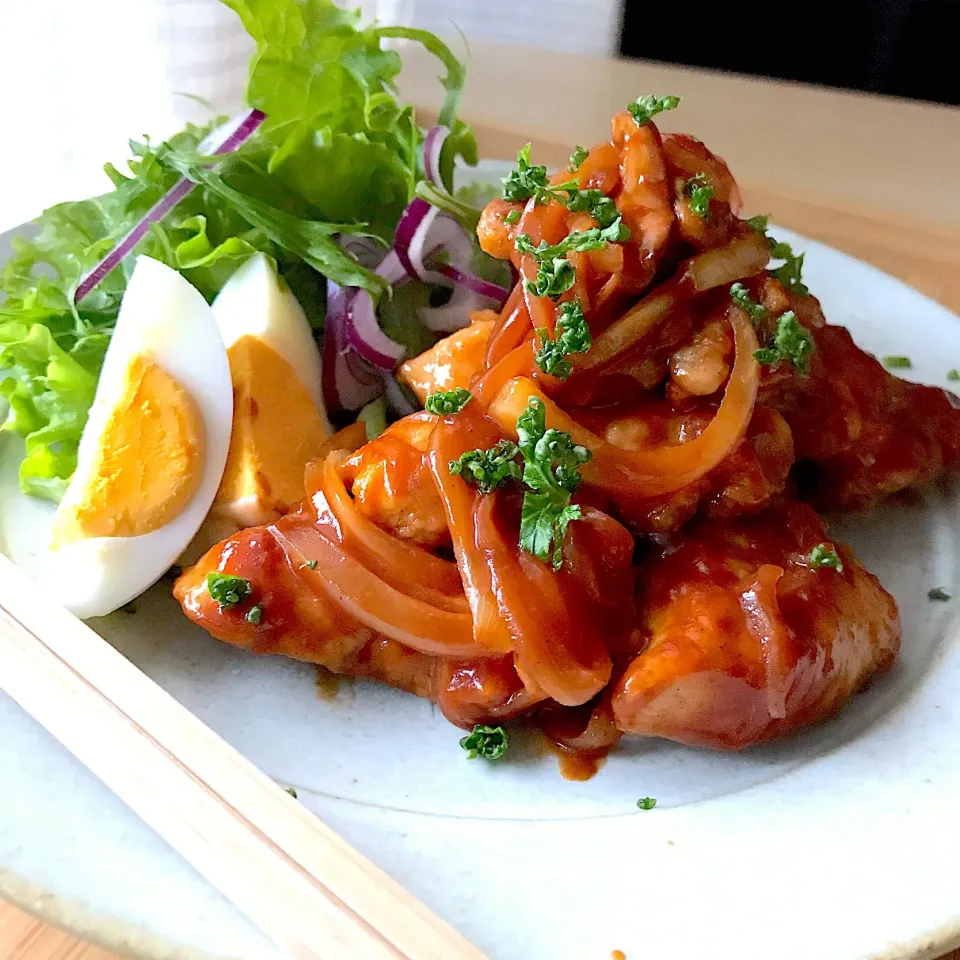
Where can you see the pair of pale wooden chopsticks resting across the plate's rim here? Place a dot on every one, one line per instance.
(292, 876)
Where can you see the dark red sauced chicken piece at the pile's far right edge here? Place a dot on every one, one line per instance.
(866, 433)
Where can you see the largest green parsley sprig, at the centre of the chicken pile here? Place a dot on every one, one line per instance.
(551, 471)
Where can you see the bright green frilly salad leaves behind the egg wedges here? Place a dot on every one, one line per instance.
(338, 152)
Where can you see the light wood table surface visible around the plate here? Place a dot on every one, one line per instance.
(872, 176)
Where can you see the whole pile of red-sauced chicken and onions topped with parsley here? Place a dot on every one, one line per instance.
(605, 518)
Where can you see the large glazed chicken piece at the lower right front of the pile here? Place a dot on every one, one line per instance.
(745, 639)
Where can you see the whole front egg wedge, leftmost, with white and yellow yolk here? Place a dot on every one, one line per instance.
(151, 457)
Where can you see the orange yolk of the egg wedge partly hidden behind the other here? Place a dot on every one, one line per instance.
(276, 430)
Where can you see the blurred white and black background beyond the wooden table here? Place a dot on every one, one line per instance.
(78, 79)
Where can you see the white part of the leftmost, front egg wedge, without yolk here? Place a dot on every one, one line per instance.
(165, 318)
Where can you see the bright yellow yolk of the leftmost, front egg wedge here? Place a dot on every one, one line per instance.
(148, 464)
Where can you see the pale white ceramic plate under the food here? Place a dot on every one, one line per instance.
(837, 844)
